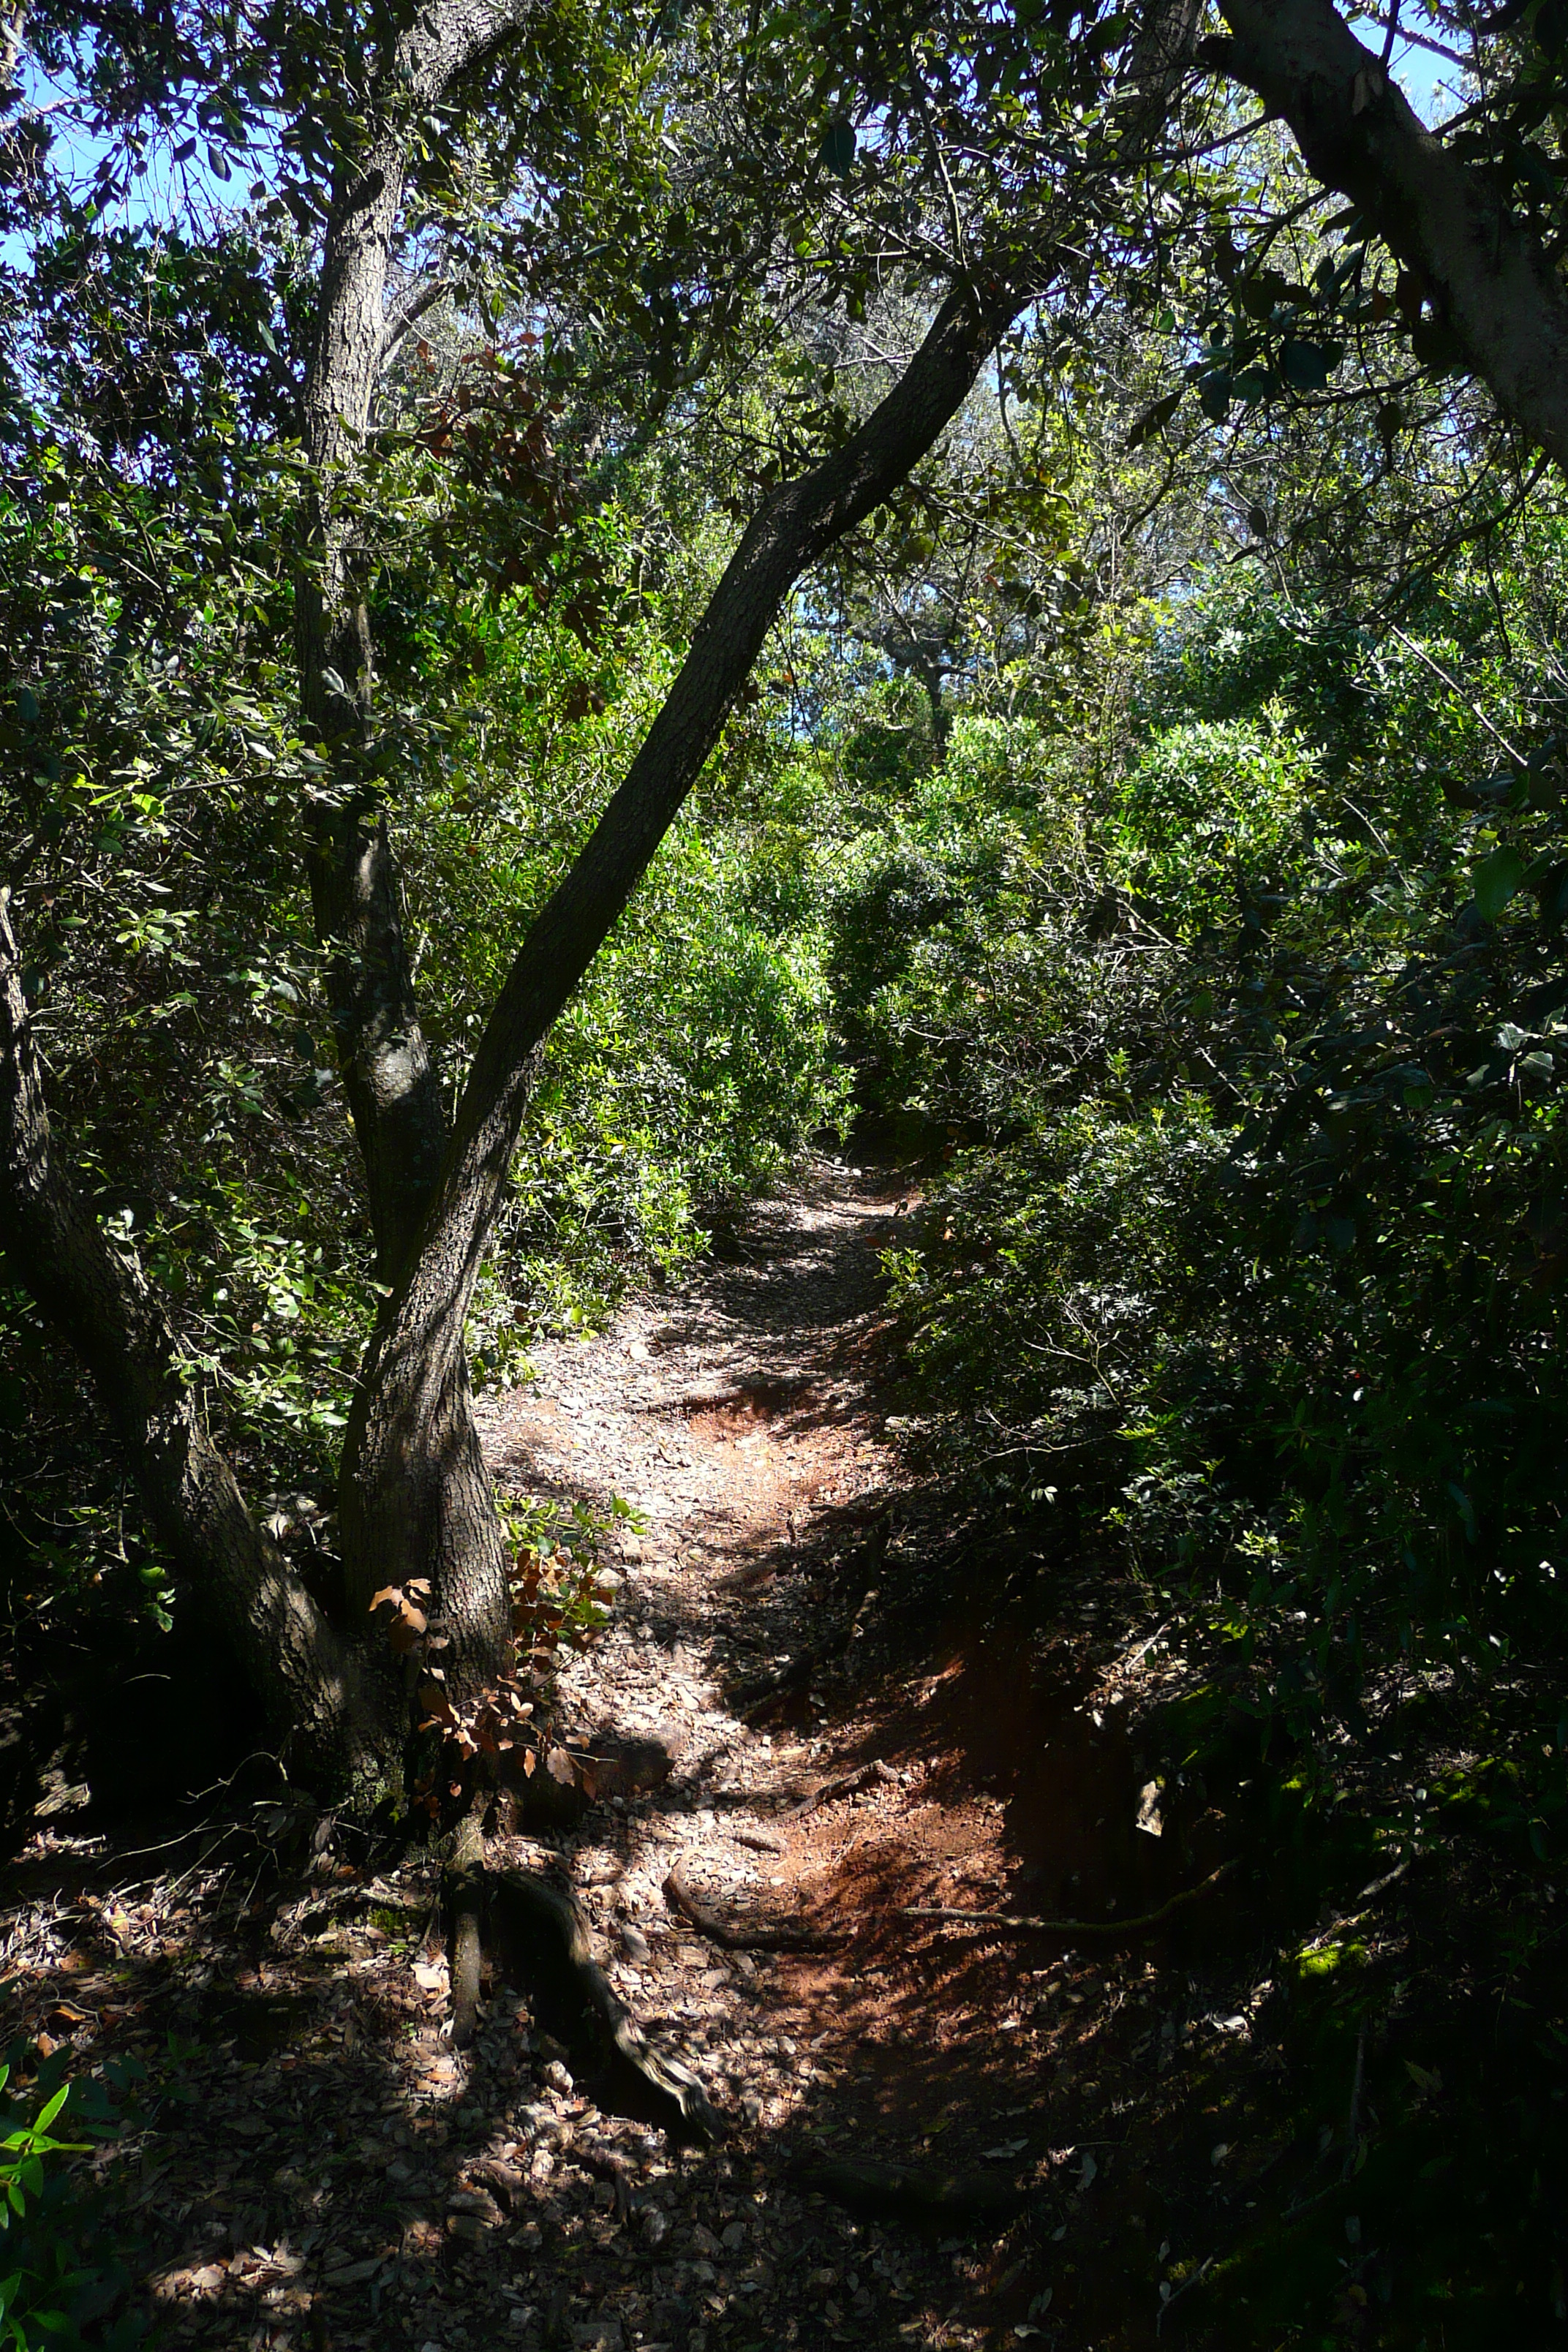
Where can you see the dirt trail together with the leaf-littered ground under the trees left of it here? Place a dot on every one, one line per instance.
(321, 2167)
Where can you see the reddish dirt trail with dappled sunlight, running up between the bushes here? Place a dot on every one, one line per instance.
(749, 1422)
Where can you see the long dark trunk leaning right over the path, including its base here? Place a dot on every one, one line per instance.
(415, 1497)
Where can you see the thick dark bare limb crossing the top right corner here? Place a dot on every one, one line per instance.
(1440, 215)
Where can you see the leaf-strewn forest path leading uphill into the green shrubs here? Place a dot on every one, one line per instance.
(746, 1419)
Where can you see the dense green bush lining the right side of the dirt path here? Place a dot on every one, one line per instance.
(1266, 1269)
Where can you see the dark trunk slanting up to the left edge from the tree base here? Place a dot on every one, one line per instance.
(333, 1723)
